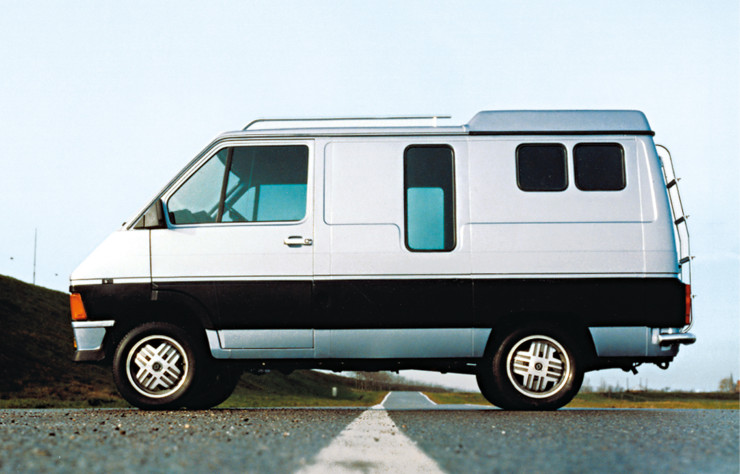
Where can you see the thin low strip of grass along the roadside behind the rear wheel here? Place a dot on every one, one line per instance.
(710, 400)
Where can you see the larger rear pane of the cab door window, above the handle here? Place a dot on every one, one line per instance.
(267, 183)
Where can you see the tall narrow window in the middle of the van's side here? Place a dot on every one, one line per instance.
(429, 198)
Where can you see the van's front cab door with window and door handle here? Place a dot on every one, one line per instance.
(240, 233)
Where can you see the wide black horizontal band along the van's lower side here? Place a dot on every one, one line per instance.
(399, 303)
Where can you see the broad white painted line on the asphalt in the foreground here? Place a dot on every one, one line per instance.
(372, 443)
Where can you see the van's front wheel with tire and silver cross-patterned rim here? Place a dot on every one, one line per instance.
(156, 366)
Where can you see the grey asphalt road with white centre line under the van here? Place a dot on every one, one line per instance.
(407, 434)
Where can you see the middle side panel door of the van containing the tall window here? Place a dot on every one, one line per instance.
(392, 256)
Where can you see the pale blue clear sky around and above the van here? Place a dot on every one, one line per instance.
(102, 102)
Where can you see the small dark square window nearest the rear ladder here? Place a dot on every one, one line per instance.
(599, 167)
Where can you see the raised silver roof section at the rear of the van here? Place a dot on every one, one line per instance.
(526, 122)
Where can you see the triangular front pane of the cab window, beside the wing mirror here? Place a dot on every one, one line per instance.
(197, 200)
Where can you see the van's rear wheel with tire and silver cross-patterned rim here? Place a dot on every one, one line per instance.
(533, 368)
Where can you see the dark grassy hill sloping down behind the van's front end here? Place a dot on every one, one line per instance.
(36, 368)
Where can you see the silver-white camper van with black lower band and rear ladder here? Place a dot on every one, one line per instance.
(525, 247)
